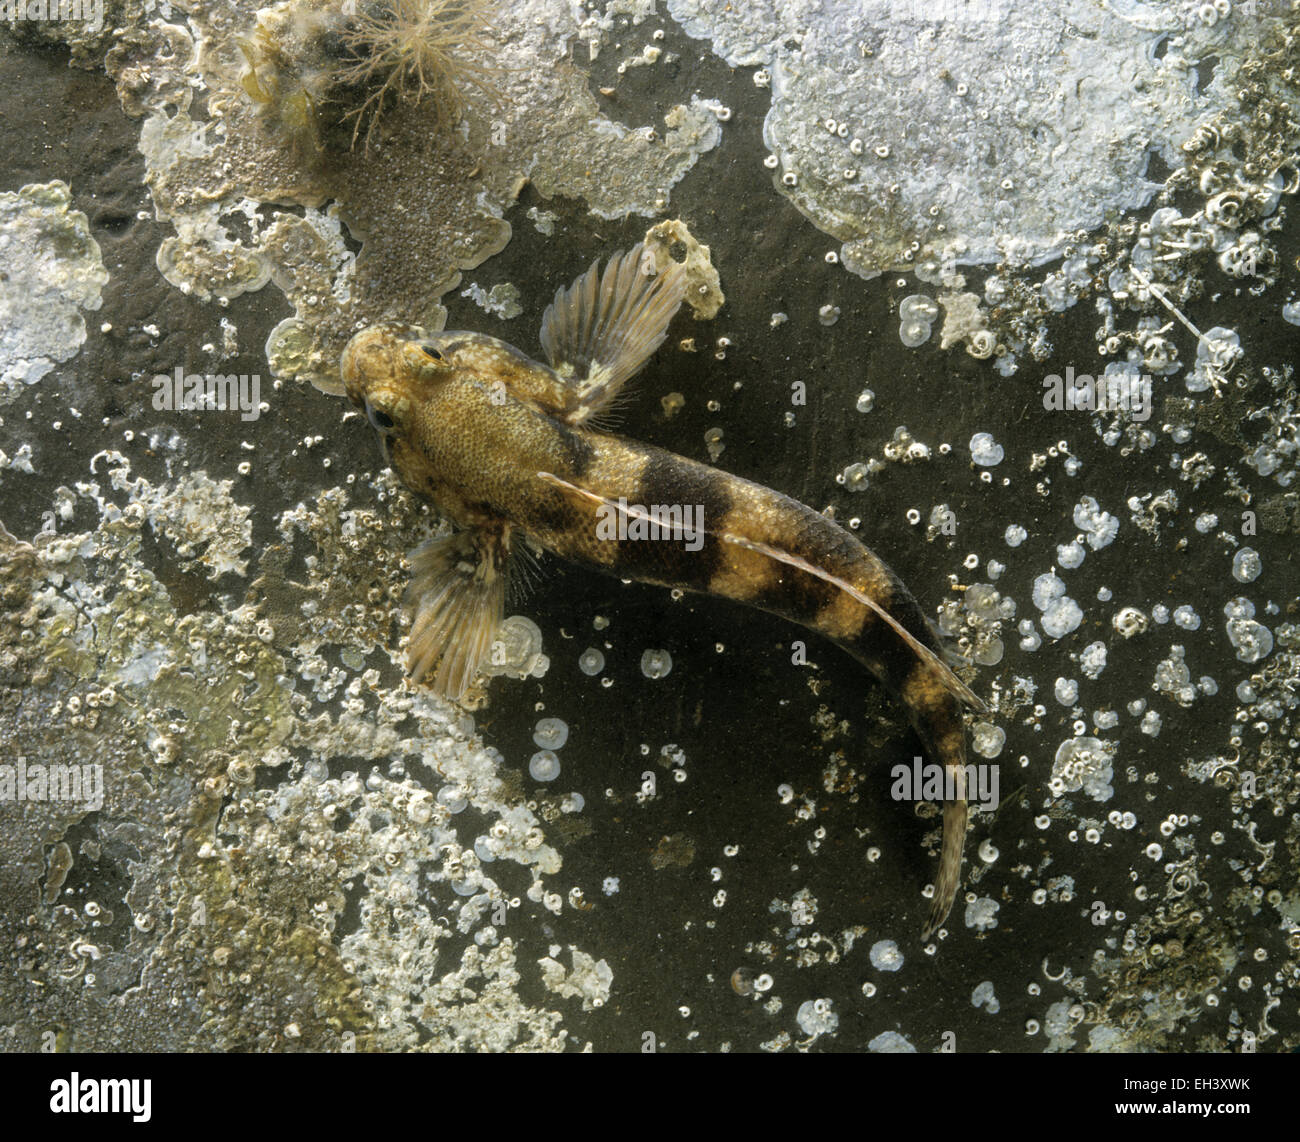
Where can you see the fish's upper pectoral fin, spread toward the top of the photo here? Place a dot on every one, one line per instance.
(600, 331)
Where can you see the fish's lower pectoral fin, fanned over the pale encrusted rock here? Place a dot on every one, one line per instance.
(457, 600)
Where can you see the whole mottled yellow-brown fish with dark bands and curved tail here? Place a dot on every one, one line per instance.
(517, 455)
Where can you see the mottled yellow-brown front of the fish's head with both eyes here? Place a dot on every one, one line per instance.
(388, 370)
